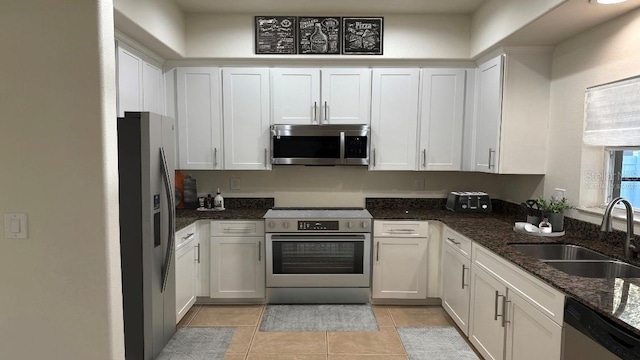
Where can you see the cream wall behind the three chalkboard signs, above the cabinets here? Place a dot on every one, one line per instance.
(231, 36)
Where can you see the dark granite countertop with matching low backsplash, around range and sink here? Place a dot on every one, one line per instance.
(617, 299)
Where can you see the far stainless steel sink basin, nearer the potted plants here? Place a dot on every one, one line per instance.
(558, 252)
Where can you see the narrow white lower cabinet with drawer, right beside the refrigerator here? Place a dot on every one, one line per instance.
(187, 250)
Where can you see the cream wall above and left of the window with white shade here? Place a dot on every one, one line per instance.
(603, 54)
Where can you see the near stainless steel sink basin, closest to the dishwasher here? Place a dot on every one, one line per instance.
(596, 269)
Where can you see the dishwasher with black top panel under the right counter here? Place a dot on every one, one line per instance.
(589, 335)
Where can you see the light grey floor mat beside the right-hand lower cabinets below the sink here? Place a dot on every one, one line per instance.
(435, 343)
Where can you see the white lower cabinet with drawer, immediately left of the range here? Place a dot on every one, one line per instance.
(237, 260)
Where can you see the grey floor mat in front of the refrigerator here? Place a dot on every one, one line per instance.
(198, 344)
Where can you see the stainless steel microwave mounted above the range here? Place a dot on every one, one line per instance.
(320, 144)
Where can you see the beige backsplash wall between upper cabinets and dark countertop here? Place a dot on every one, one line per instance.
(349, 186)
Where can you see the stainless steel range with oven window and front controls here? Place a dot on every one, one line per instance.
(318, 255)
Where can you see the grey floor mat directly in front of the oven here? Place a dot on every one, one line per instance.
(318, 318)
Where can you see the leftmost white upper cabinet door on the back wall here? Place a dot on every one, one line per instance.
(199, 118)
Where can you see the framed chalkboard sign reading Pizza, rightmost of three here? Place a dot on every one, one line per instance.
(362, 35)
